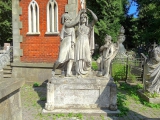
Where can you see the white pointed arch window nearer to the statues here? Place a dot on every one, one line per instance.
(52, 17)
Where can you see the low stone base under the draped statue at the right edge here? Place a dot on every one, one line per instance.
(146, 98)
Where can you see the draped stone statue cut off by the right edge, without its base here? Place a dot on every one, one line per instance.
(154, 73)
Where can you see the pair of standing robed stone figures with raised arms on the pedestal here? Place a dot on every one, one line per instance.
(76, 45)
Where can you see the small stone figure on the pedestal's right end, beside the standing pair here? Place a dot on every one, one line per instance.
(108, 52)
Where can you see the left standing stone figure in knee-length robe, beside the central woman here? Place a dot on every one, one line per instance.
(66, 53)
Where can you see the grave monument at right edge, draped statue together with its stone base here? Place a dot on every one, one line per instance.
(151, 76)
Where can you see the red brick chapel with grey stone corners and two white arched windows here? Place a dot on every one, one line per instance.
(36, 26)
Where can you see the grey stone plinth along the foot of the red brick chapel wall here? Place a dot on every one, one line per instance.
(32, 72)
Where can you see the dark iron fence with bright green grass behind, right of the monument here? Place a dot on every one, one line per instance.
(126, 68)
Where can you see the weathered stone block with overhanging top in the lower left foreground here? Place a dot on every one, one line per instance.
(10, 100)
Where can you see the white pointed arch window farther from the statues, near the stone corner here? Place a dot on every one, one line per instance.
(33, 18)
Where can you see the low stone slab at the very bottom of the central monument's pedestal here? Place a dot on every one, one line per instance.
(95, 112)
